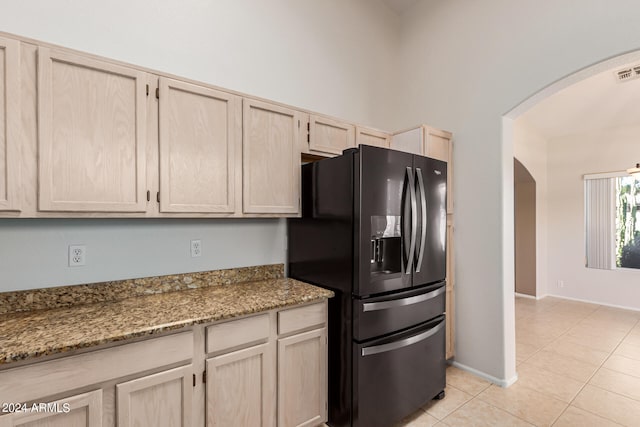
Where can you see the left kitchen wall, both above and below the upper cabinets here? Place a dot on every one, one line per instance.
(331, 56)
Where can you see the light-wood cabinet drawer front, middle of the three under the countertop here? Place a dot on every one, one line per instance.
(237, 333)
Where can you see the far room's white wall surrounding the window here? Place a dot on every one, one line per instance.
(570, 157)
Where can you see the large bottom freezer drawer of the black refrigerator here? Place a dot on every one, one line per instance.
(396, 375)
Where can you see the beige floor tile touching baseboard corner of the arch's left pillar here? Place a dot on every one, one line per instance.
(527, 404)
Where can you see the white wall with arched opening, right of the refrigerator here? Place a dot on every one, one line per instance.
(462, 66)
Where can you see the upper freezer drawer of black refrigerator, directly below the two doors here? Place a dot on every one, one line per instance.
(378, 316)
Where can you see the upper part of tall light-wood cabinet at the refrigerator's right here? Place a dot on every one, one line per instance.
(430, 142)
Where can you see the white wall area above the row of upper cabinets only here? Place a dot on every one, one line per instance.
(331, 56)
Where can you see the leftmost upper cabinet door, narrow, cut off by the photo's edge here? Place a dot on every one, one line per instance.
(9, 124)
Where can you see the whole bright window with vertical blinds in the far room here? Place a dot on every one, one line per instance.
(612, 221)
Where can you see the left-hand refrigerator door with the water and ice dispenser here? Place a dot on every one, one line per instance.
(385, 232)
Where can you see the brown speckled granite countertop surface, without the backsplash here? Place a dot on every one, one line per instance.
(29, 334)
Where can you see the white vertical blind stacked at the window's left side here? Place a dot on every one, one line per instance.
(600, 222)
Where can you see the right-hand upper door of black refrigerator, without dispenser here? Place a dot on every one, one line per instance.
(431, 189)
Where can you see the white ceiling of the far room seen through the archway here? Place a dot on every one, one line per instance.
(598, 102)
